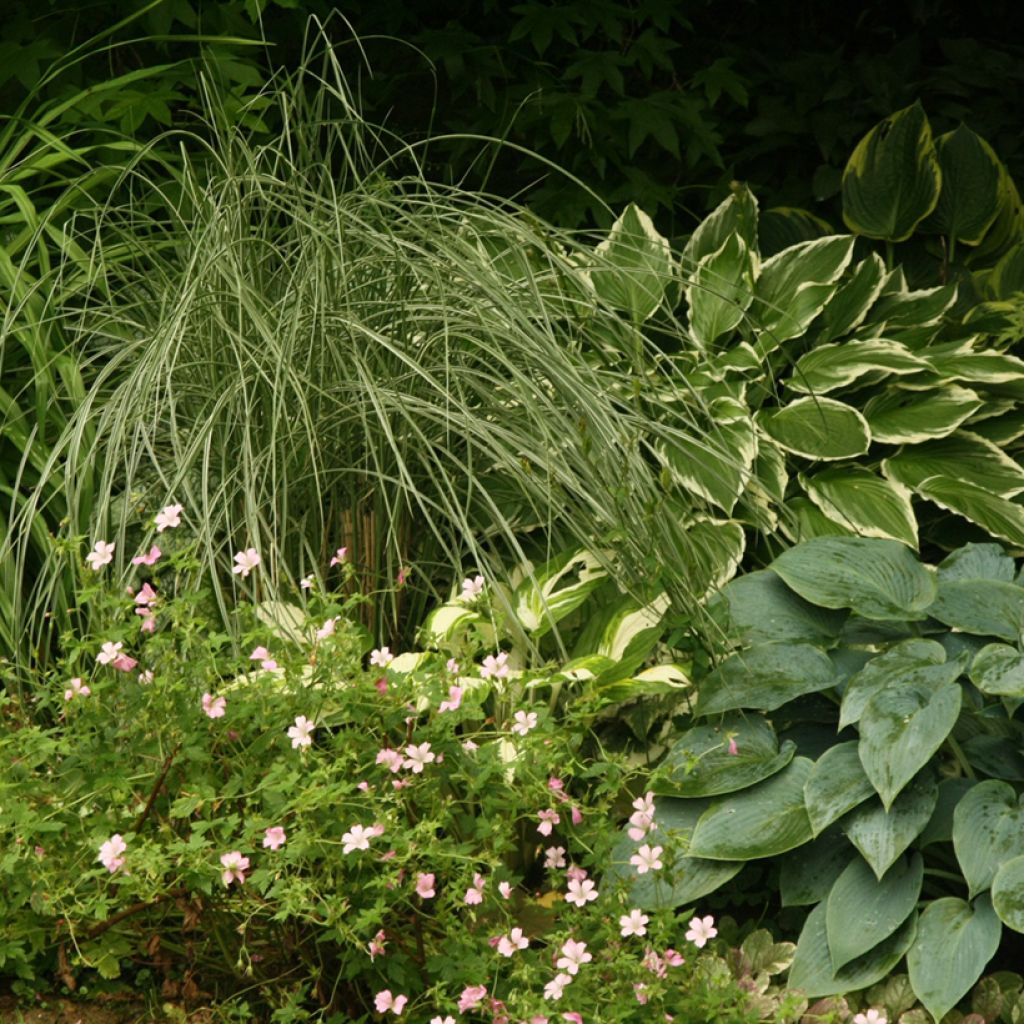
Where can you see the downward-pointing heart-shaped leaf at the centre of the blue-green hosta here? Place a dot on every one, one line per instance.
(901, 729)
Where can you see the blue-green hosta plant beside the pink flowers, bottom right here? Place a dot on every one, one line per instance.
(864, 737)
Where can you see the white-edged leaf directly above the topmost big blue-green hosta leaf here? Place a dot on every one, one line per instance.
(865, 502)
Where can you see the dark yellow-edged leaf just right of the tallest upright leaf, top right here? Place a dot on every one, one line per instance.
(969, 199)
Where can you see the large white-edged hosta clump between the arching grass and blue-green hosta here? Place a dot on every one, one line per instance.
(850, 402)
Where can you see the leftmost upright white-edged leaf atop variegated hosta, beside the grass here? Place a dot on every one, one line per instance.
(636, 266)
